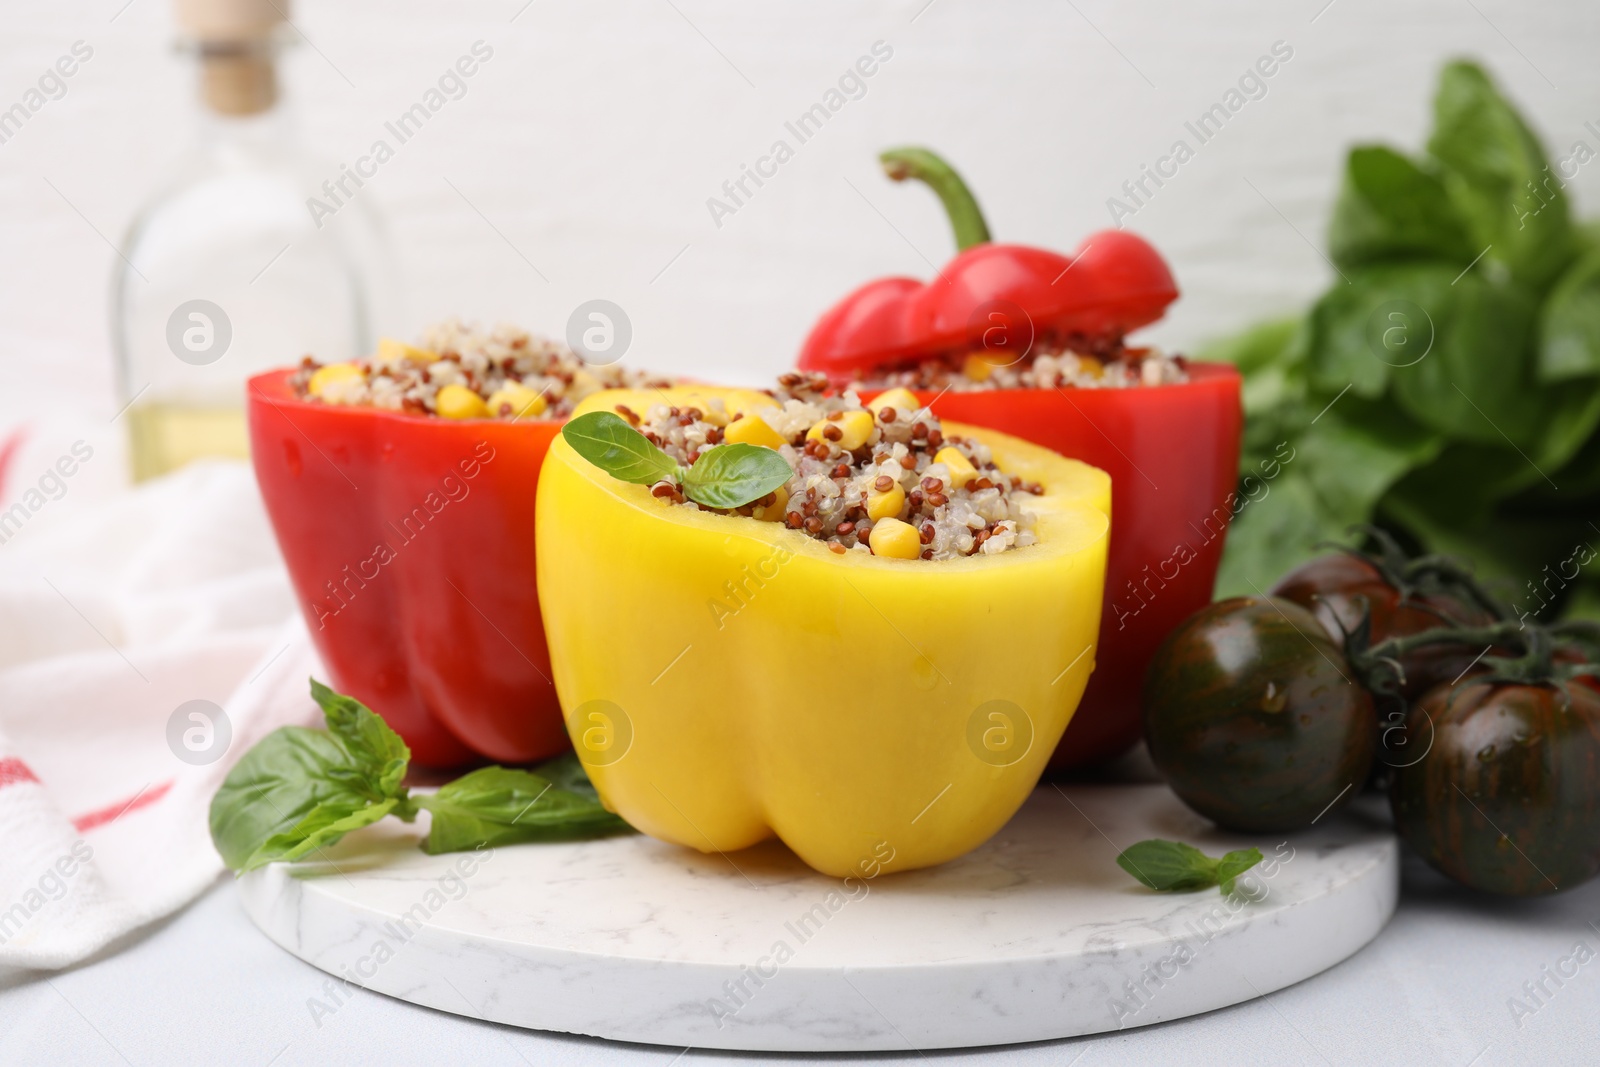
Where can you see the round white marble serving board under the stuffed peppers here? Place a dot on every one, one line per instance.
(1038, 935)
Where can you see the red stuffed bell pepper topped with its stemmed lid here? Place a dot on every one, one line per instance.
(1031, 343)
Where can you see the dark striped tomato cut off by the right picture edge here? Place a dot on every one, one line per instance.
(1506, 799)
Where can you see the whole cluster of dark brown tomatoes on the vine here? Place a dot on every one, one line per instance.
(1268, 713)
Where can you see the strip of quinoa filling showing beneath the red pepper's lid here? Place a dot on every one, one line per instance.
(1078, 364)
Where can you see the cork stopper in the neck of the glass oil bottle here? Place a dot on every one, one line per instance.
(234, 41)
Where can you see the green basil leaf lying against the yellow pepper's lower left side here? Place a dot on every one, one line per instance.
(498, 805)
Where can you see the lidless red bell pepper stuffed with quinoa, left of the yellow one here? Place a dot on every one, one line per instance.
(402, 495)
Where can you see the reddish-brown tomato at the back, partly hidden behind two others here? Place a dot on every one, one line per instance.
(1335, 586)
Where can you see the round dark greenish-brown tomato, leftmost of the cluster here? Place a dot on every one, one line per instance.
(1252, 713)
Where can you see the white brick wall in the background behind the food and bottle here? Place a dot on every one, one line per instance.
(601, 129)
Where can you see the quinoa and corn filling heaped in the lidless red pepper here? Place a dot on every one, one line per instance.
(462, 372)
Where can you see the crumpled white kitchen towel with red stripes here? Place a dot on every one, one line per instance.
(143, 649)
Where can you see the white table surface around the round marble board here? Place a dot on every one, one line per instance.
(207, 988)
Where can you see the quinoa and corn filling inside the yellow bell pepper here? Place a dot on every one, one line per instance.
(884, 481)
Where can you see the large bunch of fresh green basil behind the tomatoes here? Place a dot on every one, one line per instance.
(1447, 386)
